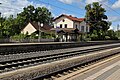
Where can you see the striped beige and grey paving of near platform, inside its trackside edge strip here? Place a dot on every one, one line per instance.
(108, 71)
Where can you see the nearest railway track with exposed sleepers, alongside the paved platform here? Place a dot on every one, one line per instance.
(61, 75)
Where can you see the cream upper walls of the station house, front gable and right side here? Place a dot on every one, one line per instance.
(70, 24)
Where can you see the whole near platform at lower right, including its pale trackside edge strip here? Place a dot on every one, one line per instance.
(106, 70)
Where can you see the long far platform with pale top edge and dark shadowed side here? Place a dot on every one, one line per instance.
(33, 47)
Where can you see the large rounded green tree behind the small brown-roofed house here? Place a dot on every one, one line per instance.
(30, 13)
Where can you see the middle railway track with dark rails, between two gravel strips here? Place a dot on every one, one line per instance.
(6, 66)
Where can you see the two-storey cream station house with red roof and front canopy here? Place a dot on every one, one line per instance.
(69, 27)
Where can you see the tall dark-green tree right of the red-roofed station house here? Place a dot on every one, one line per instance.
(96, 18)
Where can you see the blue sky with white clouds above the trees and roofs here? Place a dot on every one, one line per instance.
(75, 8)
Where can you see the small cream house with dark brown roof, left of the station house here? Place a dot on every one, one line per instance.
(33, 27)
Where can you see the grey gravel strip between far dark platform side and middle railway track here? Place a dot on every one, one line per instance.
(29, 55)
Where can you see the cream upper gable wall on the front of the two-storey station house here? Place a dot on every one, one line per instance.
(60, 21)
